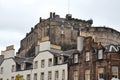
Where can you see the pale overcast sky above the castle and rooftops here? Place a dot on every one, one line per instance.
(18, 16)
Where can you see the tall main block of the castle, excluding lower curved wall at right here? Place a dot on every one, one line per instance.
(61, 31)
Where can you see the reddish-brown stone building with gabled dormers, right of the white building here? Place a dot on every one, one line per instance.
(95, 62)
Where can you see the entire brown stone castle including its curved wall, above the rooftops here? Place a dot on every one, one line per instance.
(64, 32)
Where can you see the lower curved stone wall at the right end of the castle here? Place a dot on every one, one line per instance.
(104, 35)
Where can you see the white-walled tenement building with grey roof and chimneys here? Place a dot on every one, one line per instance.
(48, 64)
